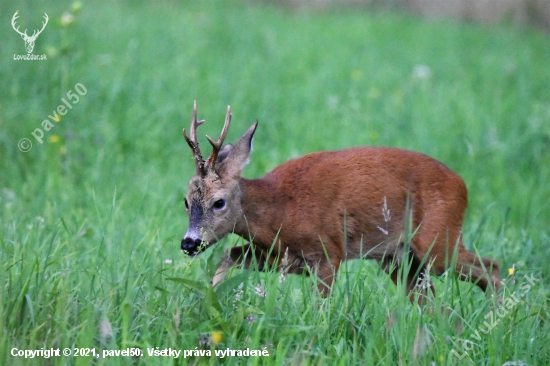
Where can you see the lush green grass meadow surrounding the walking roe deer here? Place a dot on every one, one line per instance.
(91, 219)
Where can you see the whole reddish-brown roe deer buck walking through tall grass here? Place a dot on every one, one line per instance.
(307, 205)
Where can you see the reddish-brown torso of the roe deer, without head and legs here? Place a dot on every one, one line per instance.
(308, 201)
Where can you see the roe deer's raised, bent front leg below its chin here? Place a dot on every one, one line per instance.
(237, 256)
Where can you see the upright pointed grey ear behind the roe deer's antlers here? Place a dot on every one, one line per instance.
(238, 155)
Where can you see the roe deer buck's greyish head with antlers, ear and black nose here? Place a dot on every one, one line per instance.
(213, 200)
